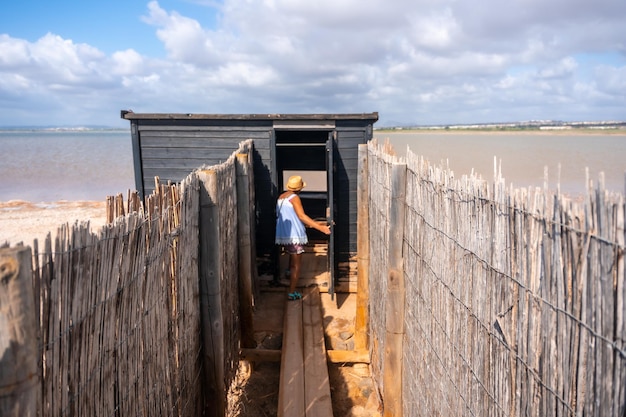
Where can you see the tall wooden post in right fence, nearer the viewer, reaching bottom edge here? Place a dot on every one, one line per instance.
(394, 314)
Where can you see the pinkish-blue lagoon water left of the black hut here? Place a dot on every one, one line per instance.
(53, 165)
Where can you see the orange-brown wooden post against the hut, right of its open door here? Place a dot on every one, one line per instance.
(361, 331)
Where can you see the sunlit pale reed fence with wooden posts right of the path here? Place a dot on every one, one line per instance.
(488, 300)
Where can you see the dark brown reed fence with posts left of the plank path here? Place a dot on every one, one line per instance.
(142, 318)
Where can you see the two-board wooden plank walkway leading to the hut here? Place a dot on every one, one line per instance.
(304, 384)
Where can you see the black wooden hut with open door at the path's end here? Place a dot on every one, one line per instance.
(323, 148)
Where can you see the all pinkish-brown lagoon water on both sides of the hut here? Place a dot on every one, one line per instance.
(53, 165)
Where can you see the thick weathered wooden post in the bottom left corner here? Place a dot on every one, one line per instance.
(20, 385)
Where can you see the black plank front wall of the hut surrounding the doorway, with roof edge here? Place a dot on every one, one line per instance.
(171, 146)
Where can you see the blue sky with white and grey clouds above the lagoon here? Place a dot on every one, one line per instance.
(417, 62)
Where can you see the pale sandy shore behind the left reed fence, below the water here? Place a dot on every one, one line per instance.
(23, 221)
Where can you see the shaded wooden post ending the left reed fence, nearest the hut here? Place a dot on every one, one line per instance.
(246, 256)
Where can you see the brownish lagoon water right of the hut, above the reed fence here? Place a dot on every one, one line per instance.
(522, 157)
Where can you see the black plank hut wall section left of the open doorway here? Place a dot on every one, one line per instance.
(171, 150)
